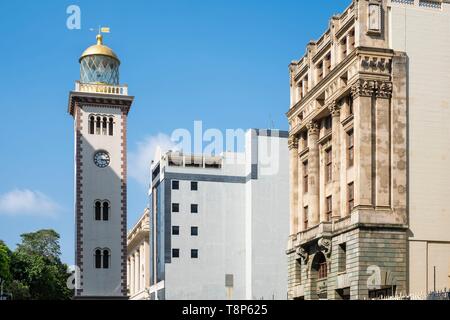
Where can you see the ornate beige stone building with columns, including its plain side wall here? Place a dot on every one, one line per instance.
(352, 97)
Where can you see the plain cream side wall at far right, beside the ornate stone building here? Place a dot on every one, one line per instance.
(423, 33)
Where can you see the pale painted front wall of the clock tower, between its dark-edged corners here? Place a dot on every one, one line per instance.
(101, 184)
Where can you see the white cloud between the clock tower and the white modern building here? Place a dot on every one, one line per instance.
(140, 159)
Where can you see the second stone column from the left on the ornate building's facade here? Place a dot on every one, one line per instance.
(313, 174)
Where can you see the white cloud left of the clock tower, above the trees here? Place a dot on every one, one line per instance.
(27, 202)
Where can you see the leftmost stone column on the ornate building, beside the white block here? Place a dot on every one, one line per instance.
(293, 149)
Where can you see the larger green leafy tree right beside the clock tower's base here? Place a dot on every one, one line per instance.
(37, 269)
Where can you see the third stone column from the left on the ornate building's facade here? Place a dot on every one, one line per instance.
(336, 158)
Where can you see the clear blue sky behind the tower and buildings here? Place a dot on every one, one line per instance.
(222, 62)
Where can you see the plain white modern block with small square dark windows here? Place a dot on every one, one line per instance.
(221, 223)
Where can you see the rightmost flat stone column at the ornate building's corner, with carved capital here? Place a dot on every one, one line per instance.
(382, 144)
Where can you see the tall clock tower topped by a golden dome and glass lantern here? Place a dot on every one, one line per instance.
(100, 105)
